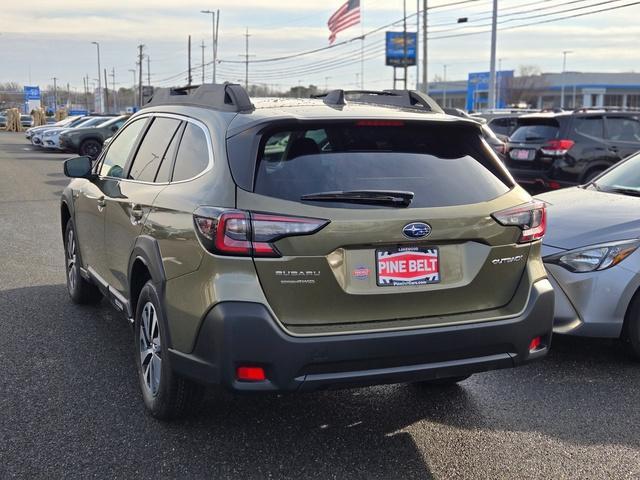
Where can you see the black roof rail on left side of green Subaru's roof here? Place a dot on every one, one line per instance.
(228, 97)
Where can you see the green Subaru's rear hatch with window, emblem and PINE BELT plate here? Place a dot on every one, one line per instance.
(375, 263)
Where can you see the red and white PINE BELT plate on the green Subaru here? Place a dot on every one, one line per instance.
(404, 266)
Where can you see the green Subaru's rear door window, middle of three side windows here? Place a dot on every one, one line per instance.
(153, 149)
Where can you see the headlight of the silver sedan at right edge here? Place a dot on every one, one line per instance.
(595, 257)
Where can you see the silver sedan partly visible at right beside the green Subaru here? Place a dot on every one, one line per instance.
(591, 253)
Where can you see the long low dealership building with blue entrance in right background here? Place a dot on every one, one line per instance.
(547, 90)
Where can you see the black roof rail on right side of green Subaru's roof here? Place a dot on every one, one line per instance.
(396, 98)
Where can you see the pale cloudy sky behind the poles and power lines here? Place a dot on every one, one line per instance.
(42, 39)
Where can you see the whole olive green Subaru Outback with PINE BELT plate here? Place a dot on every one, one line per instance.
(291, 245)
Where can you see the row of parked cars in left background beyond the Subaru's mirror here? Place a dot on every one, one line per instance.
(84, 135)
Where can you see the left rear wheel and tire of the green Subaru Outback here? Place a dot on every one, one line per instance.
(165, 394)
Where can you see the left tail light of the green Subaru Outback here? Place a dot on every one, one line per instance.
(242, 233)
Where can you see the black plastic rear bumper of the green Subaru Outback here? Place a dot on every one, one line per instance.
(238, 333)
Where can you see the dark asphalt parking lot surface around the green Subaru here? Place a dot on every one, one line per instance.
(70, 406)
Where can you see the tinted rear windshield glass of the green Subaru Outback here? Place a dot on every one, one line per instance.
(441, 165)
